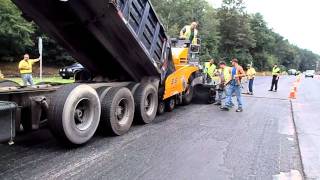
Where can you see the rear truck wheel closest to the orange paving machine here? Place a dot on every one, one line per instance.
(146, 103)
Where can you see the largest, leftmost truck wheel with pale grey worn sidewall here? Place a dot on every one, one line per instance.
(74, 113)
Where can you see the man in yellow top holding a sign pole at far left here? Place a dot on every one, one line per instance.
(25, 67)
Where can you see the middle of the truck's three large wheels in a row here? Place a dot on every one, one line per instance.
(117, 111)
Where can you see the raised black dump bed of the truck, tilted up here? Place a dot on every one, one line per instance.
(118, 39)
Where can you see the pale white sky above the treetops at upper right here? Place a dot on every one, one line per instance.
(296, 20)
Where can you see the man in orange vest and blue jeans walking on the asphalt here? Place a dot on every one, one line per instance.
(234, 86)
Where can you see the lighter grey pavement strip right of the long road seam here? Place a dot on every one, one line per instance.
(307, 119)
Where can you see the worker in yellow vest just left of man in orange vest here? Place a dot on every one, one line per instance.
(225, 76)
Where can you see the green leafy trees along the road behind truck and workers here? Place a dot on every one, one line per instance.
(226, 32)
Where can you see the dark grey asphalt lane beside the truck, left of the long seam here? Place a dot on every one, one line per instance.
(193, 142)
